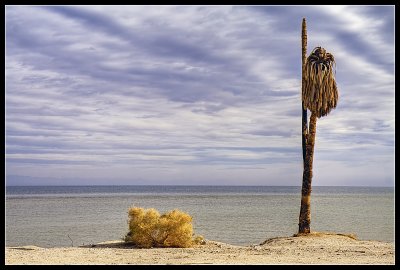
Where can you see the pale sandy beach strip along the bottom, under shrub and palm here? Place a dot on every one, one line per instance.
(316, 248)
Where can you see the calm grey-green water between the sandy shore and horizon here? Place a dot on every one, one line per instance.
(242, 215)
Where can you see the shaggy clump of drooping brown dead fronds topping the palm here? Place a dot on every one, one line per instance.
(320, 94)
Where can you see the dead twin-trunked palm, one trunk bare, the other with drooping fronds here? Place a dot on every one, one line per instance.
(320, 96)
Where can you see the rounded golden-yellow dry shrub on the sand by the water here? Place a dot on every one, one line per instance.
(172, 229)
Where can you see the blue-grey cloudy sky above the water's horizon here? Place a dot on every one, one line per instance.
(194, 95)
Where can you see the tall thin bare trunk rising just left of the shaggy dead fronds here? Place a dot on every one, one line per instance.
(303, 109)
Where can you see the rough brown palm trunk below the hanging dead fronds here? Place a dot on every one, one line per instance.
(305, 211)
